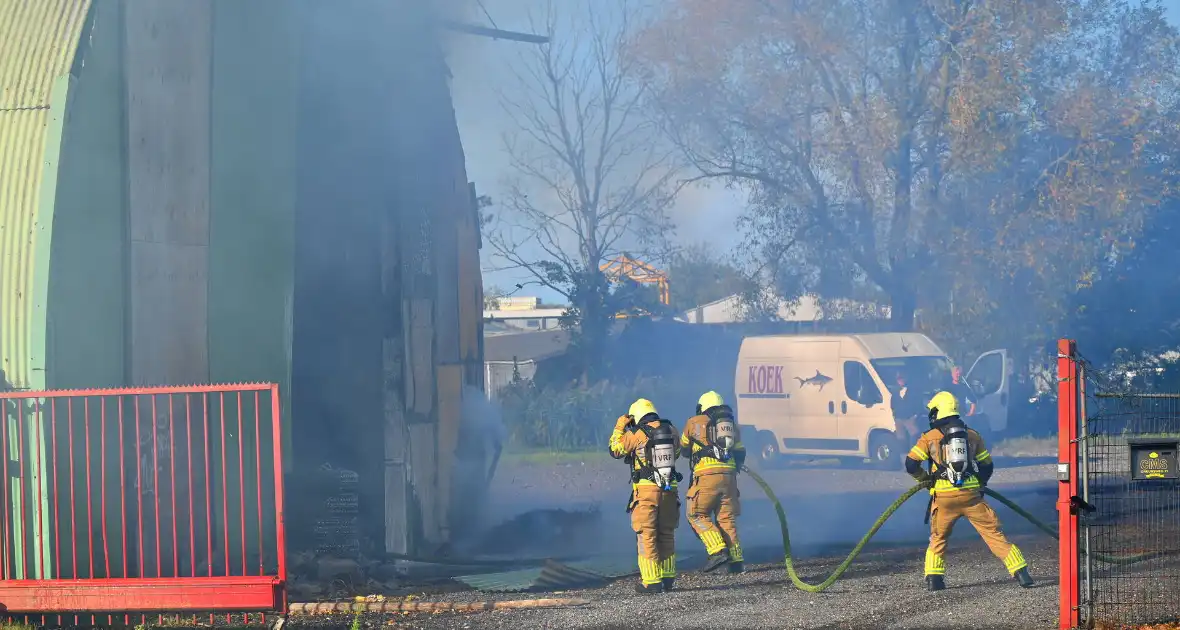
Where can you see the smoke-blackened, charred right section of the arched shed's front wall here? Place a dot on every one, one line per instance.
(385, 324)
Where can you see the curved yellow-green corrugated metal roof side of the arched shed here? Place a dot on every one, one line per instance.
(38, 42)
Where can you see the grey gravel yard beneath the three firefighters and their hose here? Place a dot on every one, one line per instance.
(829, 509)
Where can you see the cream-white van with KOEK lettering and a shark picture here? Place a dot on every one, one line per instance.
(836, 396)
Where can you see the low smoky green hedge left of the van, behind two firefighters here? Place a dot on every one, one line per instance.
(581, 418)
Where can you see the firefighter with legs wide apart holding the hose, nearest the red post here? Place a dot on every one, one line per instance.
(960, 469)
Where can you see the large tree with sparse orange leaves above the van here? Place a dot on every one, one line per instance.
(976, 153)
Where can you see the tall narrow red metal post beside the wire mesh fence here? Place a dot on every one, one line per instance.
(1068, 483)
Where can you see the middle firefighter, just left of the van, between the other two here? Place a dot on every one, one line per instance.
(713, 445)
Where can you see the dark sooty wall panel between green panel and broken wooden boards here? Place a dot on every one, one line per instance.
(344, 139)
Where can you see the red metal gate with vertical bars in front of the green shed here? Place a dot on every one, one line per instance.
(156, 500)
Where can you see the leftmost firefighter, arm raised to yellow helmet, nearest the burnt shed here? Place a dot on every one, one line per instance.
(650, 447)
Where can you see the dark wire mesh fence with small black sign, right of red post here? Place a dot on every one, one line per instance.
(1130, 524)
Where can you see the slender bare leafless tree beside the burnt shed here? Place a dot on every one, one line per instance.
(591, 178)
